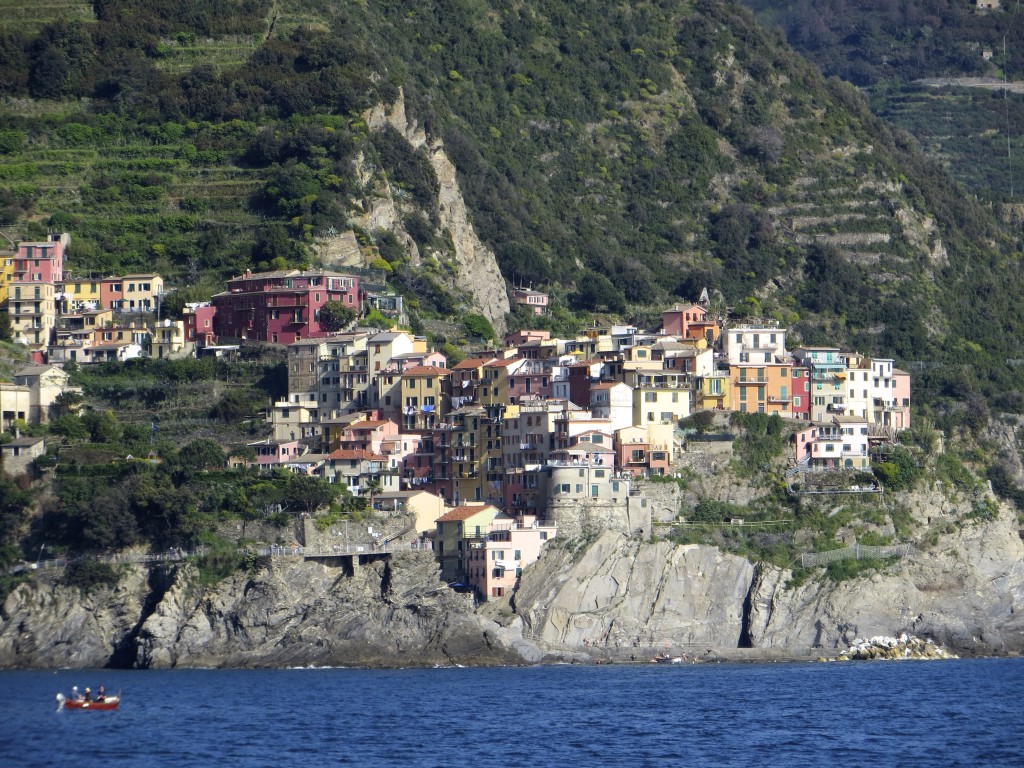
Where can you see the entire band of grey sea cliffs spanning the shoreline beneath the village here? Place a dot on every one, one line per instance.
(615, 593)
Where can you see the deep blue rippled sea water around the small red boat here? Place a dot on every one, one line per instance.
(965, 713)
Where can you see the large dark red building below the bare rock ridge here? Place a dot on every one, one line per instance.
(281, 308)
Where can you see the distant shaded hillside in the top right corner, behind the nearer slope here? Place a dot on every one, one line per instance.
(935, 69)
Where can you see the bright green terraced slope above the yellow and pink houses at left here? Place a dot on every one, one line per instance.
(142, 197)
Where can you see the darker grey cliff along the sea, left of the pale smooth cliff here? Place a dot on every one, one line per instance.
(290, 614)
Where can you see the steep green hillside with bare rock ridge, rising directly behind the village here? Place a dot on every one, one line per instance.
(622, 155)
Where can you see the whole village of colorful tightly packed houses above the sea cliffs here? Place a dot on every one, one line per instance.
(496, 453)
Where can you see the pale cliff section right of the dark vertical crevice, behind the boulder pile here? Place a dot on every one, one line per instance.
(966, 593)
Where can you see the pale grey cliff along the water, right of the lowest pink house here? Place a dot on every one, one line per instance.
(967, 593)
